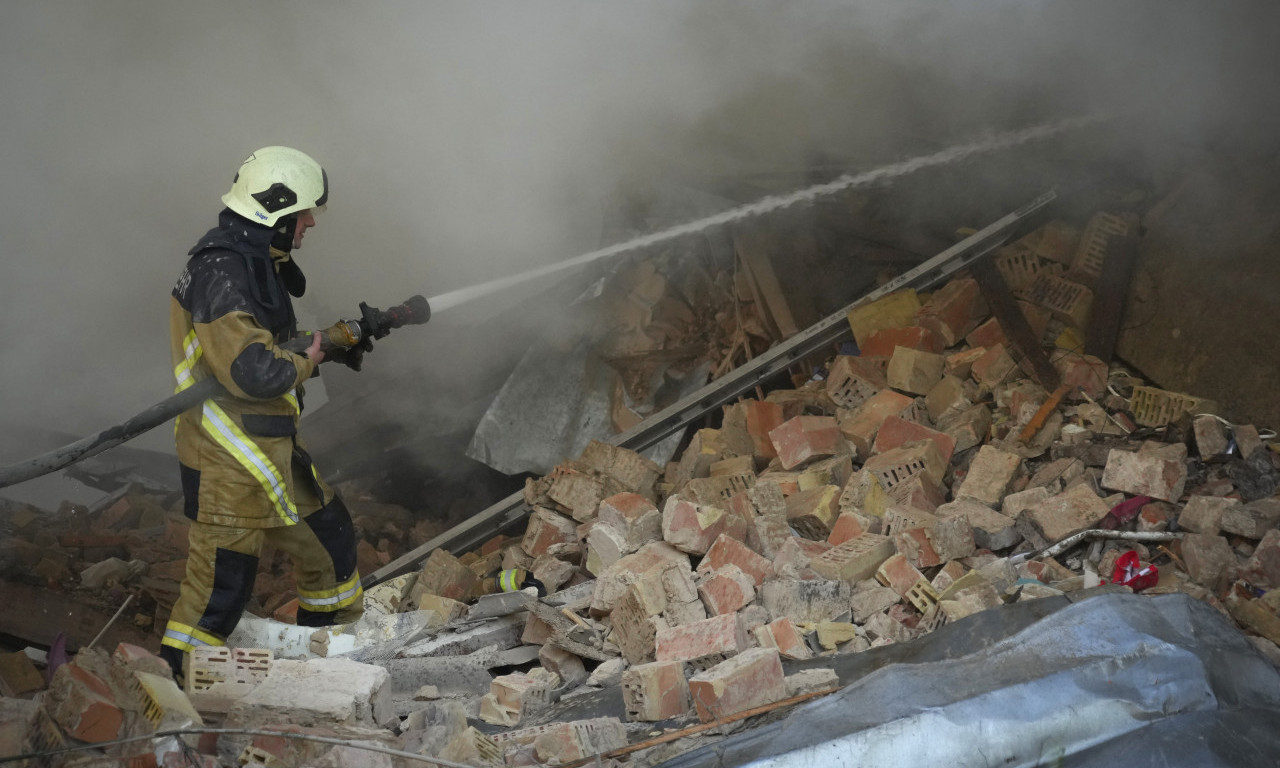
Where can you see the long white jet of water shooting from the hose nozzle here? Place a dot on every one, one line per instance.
(775, 203)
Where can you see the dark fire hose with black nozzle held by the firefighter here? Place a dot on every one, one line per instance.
(345, 335)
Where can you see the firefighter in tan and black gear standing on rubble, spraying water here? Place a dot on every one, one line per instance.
(246, 477)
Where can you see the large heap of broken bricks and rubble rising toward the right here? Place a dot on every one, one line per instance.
(921, 482)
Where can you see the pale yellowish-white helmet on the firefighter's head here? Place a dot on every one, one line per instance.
(276, 182)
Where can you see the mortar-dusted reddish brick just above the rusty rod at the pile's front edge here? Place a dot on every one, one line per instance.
(752, 679)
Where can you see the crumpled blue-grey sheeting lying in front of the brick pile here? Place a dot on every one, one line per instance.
(1116, 680)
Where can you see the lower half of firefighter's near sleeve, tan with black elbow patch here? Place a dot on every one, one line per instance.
(246, 359)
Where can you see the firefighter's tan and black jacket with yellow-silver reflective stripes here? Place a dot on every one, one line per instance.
(230, 310)
